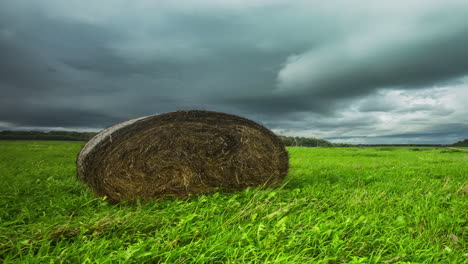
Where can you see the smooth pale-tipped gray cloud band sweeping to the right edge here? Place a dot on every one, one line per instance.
(337, 70)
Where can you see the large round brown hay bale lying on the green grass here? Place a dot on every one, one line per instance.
(181, 153)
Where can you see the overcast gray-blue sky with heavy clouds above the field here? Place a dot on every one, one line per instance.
(347, 71)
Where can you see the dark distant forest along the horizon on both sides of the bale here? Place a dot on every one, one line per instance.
(287, 141)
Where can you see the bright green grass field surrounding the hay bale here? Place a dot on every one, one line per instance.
(337, 205)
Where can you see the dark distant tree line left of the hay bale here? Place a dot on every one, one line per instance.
(41, 135)
